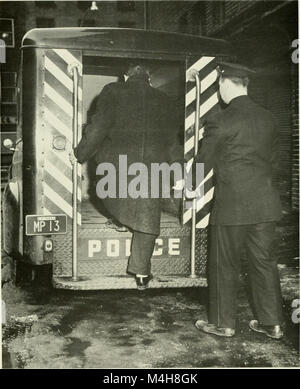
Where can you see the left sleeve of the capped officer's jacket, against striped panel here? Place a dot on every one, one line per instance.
(213, 138)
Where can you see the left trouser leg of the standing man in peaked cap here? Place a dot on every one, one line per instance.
(226, 243)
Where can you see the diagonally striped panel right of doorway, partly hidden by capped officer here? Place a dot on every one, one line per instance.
(209, 102)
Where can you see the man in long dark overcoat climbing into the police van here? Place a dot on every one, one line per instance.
(134, 120)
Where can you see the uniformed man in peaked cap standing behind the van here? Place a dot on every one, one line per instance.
(240, 144)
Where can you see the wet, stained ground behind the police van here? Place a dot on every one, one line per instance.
(131, 329)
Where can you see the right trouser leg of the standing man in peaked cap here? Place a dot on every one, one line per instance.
(263, 274)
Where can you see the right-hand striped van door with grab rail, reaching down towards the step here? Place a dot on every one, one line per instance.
(201, 100)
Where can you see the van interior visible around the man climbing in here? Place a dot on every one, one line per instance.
(167, 76)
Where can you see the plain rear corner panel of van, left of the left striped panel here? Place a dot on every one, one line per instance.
(33, 147)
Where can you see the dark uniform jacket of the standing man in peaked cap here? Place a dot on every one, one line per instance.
(240, 144)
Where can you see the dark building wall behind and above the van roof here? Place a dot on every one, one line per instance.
(256, 45)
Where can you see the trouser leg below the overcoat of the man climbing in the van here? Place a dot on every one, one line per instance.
(142, 247)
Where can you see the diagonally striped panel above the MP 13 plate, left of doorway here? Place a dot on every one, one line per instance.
(58, 121)
